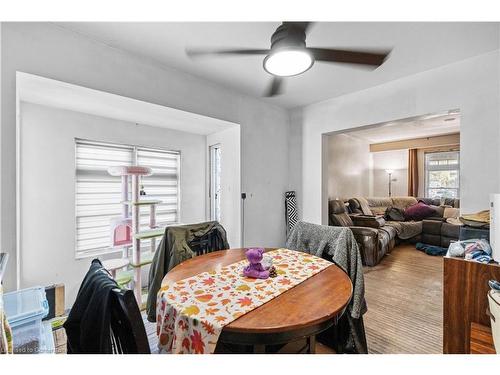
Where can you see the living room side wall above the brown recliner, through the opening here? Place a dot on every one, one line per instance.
(349, 167)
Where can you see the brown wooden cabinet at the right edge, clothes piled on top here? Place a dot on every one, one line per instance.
(465, 300)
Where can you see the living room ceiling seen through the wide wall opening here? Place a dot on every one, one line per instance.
(426, 126)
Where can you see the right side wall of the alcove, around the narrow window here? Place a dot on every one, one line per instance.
(229, 141)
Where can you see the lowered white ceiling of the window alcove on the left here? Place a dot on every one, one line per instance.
(52, 93)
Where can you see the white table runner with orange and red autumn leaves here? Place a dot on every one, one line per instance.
(192, 312)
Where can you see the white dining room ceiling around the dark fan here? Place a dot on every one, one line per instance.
(416, 47)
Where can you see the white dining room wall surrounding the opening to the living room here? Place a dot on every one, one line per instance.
(471, 85)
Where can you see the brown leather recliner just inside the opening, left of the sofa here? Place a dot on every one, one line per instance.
(373, 238)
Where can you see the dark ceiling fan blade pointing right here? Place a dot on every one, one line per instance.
(350, 56)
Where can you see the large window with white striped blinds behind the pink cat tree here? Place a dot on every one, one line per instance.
(98, 195)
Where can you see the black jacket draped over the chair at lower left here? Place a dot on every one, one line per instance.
(104, 318)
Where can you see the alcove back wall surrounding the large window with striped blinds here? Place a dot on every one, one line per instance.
(48, 185)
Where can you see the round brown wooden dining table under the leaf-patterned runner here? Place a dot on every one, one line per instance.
(301, 312)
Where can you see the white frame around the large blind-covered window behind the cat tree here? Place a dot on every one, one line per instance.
(133, 148)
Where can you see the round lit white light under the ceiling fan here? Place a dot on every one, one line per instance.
(288, 62)
